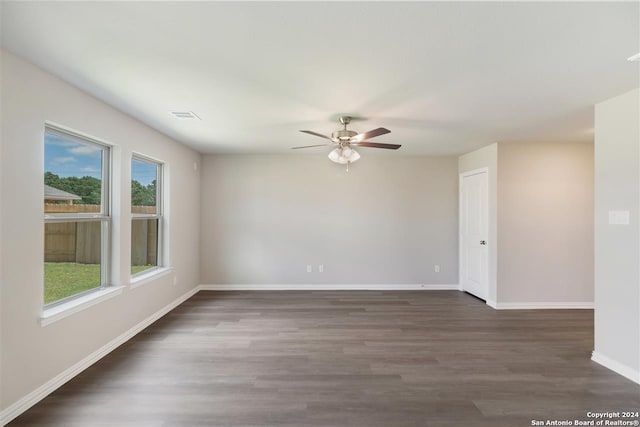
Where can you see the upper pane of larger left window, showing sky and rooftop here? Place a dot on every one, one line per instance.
(73, 174)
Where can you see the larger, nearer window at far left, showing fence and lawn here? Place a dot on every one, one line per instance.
(76, 215)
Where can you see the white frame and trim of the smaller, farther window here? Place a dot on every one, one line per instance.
(162, 268)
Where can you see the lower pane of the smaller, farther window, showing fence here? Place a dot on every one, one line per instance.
(144, 244)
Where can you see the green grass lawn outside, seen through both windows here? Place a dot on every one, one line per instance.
(63, 279)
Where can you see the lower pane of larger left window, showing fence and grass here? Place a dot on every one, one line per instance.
(72, 255)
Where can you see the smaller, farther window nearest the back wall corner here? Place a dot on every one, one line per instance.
(146, 214)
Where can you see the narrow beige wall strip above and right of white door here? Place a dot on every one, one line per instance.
(487, 157)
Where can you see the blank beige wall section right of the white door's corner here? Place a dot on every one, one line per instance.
(545, 223)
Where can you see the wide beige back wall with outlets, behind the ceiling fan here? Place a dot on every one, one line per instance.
(389, 220)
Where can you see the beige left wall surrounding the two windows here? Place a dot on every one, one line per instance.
(31, 354)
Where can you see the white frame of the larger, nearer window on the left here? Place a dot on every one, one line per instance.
(104, 216)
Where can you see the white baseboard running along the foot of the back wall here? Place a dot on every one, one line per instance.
(329, 287)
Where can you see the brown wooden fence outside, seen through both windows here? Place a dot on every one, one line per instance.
(81, 242)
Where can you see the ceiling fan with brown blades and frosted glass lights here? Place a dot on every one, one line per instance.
(344, 140)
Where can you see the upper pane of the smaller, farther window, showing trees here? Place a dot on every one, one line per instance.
(144, 179)
